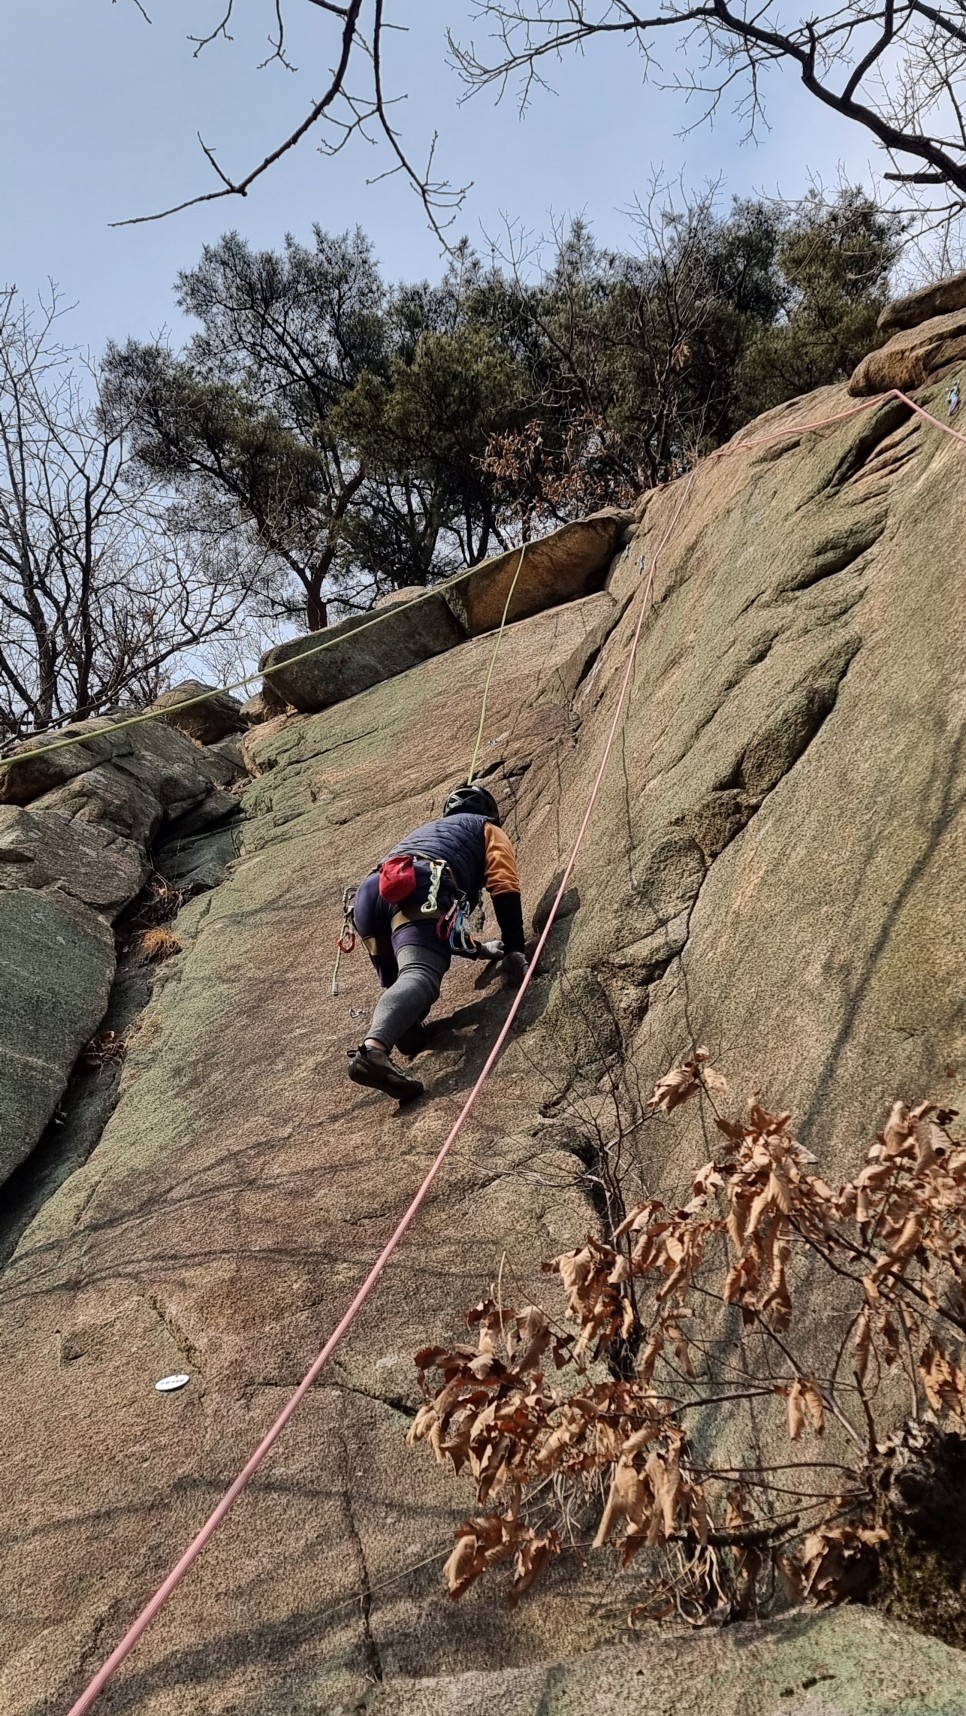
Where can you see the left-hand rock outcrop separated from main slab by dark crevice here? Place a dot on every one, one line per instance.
(76, 831)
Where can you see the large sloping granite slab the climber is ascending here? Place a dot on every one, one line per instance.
(775, 867)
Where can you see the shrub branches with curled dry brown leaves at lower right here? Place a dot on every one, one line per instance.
(579, 1429)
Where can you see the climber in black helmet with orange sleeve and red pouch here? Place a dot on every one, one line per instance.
(413, 915)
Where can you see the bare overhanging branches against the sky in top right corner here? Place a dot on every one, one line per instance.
(897, 68)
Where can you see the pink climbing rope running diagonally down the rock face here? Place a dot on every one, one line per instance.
(138, 1628)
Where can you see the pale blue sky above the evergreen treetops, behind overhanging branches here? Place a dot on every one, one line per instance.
(100, 114)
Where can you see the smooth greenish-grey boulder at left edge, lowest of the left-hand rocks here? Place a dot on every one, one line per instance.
(57, 964)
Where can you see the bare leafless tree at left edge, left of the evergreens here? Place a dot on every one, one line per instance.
(100, 584)
